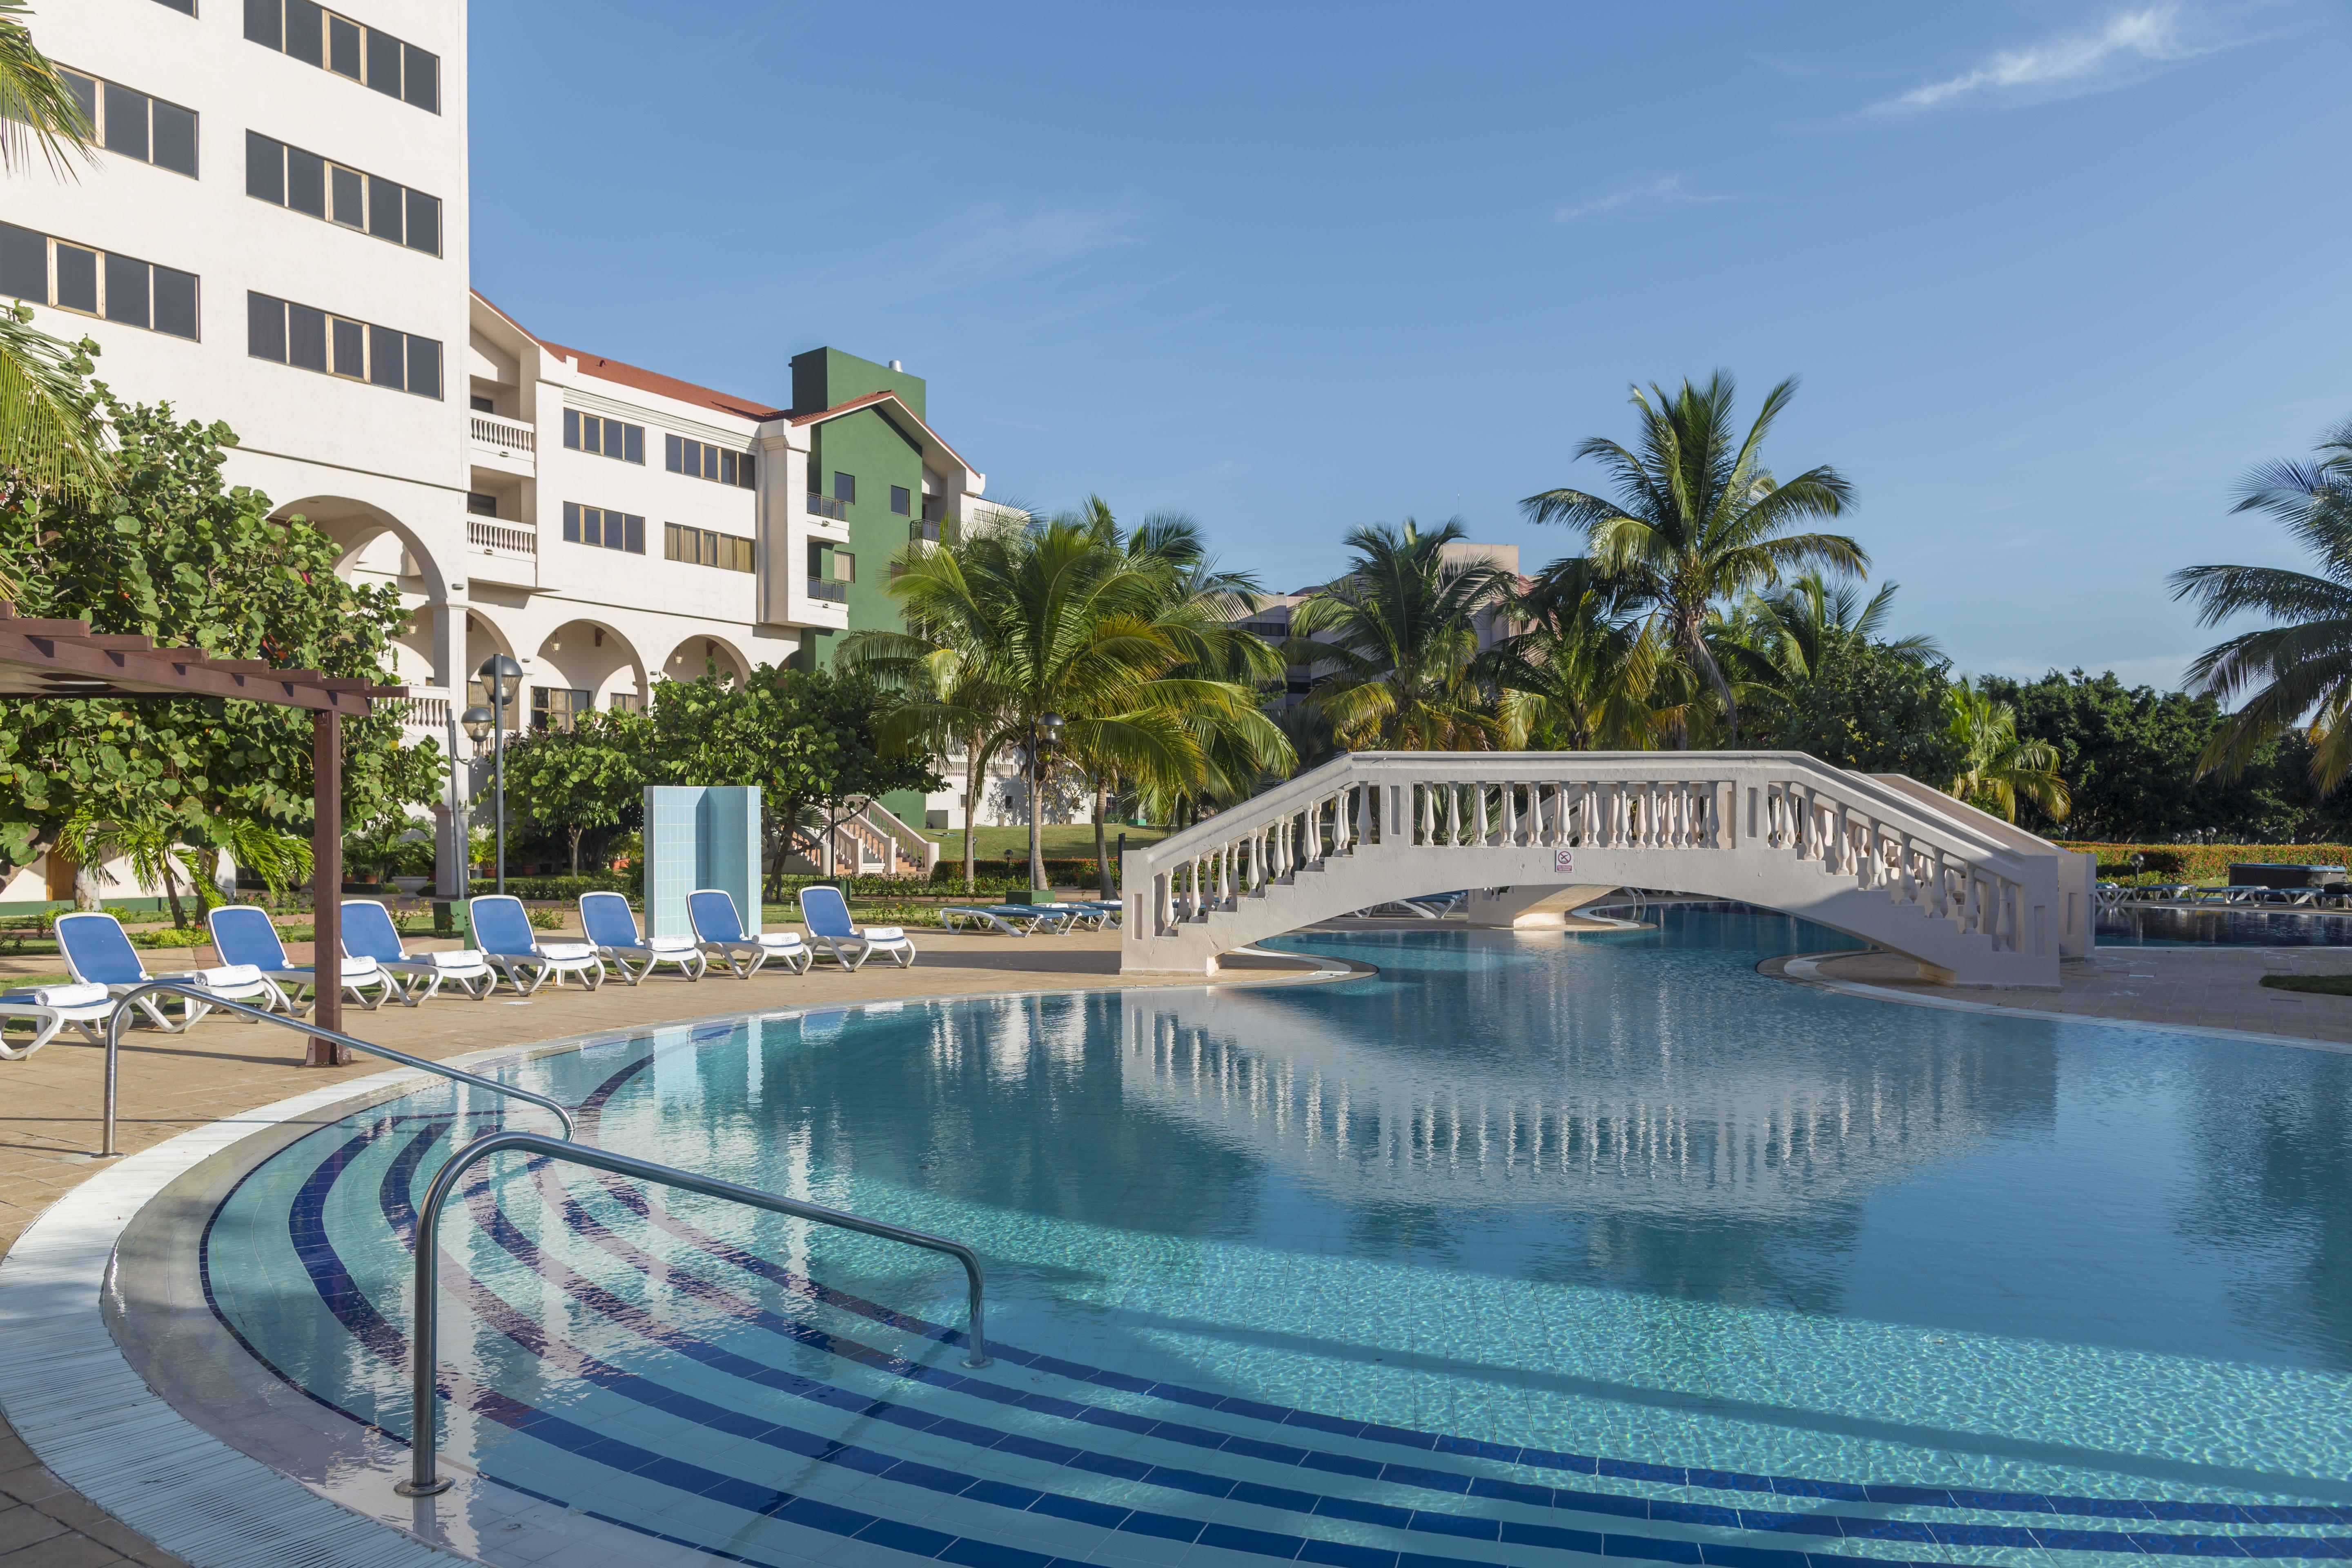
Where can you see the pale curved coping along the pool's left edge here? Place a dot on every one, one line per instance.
(74, 1398)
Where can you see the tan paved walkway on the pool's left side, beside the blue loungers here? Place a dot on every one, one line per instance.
(51, 1108)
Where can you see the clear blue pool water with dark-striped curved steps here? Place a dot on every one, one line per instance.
(1528, 1247)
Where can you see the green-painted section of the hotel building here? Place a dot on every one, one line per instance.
(862, 460)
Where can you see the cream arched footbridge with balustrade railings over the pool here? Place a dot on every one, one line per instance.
(1871, 855)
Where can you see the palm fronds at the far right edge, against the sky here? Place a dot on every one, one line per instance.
(2301, 669)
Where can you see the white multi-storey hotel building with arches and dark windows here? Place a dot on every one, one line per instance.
(276, 239)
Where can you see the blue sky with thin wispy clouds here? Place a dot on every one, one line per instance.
(2052, 274)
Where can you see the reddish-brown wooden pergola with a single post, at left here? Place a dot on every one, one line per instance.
(65, 659)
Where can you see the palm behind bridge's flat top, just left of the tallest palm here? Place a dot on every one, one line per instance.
(1586, 664)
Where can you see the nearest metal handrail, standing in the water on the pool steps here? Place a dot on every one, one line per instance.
(425, 1346)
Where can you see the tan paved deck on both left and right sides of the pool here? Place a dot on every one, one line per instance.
(225, 1068)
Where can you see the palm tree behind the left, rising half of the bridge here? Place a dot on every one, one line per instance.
(1401, 641)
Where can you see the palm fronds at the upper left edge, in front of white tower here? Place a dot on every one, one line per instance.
(48, 431)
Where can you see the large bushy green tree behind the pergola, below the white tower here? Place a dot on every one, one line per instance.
(178, 556)
